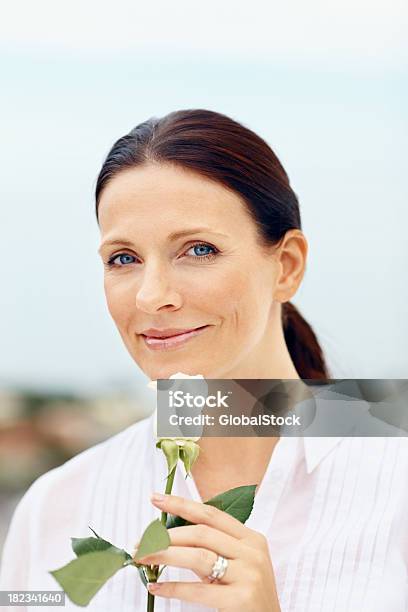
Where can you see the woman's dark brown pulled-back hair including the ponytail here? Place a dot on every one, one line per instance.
(221, 149)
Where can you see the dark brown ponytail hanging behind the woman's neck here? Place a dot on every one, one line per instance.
(302, 344)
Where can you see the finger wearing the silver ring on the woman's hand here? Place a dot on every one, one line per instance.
(199, 560)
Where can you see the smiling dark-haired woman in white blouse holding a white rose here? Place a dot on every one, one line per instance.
(200, 229)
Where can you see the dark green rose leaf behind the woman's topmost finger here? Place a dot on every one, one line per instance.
(237, 502)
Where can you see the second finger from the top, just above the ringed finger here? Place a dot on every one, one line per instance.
(203, 536)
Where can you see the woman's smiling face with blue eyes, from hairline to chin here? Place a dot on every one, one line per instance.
(181, 252)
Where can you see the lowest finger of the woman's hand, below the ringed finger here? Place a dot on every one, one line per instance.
(211, 595)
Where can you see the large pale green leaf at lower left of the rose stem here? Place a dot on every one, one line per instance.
(82, 578)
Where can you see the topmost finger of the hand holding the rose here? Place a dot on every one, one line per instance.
(196, 512)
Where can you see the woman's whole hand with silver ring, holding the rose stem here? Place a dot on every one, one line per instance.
(248, 583)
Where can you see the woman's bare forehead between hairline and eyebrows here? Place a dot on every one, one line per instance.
(162, 195)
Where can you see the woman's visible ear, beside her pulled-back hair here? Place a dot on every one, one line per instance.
(291, 256)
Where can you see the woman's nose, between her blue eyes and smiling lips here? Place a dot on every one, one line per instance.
(157, 291)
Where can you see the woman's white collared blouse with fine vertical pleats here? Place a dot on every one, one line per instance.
(334, 510)
